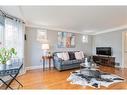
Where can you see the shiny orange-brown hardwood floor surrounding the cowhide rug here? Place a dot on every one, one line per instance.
(53, 79)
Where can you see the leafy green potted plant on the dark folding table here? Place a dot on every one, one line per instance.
(6, 55)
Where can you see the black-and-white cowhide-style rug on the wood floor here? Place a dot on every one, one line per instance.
(93, 77)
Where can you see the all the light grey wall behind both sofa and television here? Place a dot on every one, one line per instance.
(34, 52)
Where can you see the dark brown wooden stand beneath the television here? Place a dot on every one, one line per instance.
(104, 60)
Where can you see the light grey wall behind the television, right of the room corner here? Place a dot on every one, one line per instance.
(110, 39)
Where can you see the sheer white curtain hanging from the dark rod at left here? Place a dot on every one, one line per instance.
(14, 36)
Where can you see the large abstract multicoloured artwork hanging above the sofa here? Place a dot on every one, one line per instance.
(66, 40)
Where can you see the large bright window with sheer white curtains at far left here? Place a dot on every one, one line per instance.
(12, 35)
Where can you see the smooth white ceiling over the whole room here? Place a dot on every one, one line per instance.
(81, 19)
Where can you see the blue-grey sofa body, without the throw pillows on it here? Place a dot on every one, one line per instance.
(60, 64)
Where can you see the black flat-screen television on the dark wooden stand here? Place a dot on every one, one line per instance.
(103, 51)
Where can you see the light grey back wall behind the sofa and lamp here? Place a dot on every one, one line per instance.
(34, 51)
